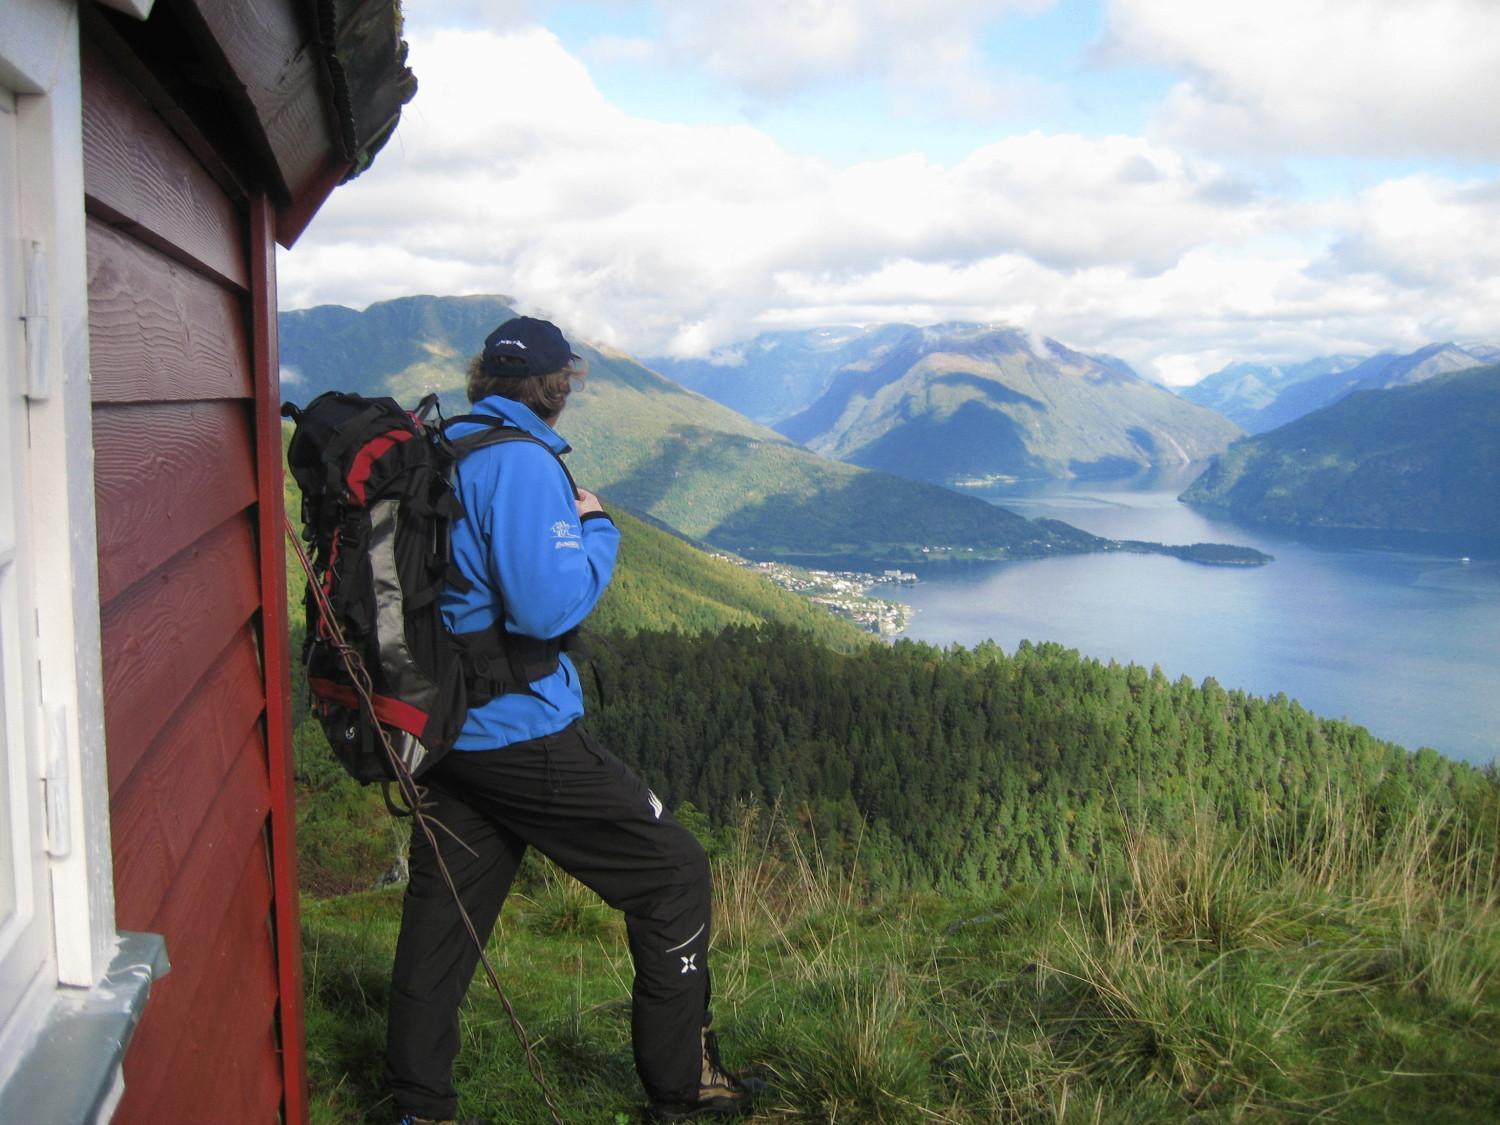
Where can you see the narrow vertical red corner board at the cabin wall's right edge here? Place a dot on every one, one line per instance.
(271, 467)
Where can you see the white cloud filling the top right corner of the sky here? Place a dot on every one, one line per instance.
(1405, 79)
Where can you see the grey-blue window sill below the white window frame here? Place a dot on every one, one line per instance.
(71, 1070)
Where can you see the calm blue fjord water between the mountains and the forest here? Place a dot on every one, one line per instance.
(1394, 634)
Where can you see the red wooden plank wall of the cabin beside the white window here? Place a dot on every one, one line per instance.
(184, 368)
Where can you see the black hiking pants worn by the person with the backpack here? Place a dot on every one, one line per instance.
(584, 809)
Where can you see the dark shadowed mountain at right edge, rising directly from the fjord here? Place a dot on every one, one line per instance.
(1411, 458)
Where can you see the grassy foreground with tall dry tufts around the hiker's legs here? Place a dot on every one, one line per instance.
(1318, 971)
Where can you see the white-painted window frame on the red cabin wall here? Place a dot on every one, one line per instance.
(61, 769)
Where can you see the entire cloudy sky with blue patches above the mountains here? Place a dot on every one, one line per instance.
(1175, 182)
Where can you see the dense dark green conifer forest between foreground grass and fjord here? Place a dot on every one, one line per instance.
(977, 767)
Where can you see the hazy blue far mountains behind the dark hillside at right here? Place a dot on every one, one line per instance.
(1259, 398)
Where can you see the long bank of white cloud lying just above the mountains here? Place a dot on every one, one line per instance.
(514, 175)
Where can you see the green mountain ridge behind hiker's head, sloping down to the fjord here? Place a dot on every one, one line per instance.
(661, 451)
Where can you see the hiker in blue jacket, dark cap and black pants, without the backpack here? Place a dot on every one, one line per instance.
(538, 556)
